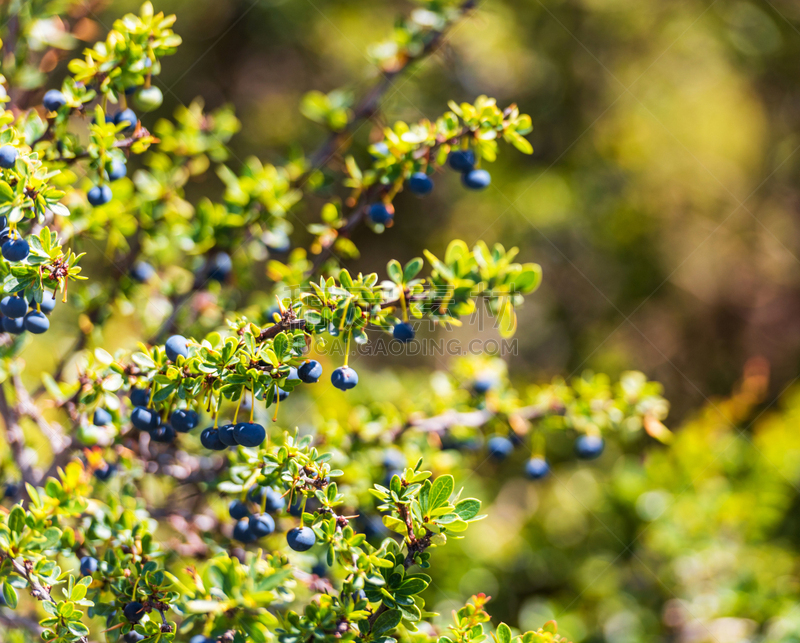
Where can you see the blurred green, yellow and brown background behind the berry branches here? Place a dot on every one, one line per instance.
(661, 201)
